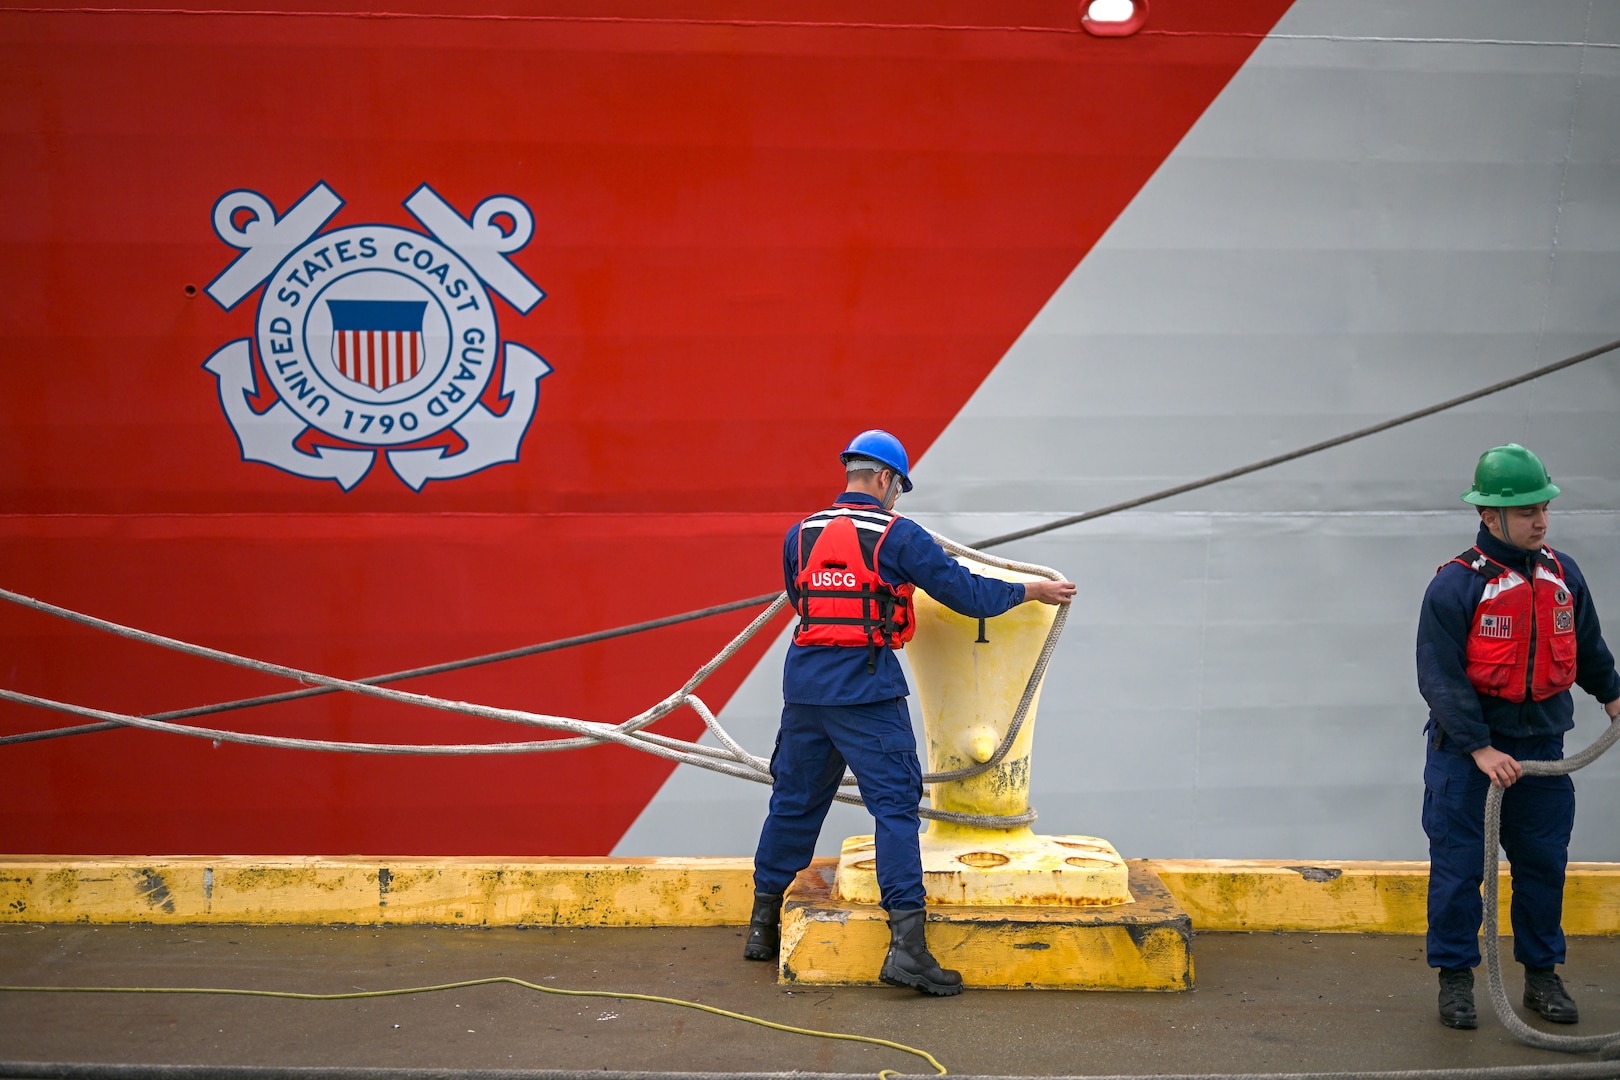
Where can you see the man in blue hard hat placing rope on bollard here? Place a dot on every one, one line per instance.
(851, 572)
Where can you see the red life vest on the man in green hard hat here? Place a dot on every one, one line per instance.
(1522, 642)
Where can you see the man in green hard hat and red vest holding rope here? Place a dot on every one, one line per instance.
(1507, 629)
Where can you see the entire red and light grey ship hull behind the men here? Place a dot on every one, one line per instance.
(1067, 270)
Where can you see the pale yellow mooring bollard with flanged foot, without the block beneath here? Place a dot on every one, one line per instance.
(971, 678)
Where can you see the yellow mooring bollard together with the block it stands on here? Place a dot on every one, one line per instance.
(1007, 908)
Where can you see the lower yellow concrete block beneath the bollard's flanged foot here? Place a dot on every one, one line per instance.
(1145, 945)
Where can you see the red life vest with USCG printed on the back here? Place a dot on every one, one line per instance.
(843, 600)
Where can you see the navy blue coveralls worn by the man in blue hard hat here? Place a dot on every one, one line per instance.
(835, 712)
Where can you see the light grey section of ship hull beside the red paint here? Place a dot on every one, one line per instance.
(1360, 226)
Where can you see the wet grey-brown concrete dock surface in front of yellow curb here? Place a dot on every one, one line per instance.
(1264, 1003)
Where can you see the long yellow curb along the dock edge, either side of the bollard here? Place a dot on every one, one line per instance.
(1219, 895)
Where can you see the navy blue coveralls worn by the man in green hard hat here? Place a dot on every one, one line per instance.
(1538, 812)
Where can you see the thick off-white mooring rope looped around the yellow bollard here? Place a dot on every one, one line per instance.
(731, 759)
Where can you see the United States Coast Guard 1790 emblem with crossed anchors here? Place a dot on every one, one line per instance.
(377, 339)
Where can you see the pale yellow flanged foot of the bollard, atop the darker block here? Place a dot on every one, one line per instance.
(1013, 867)
